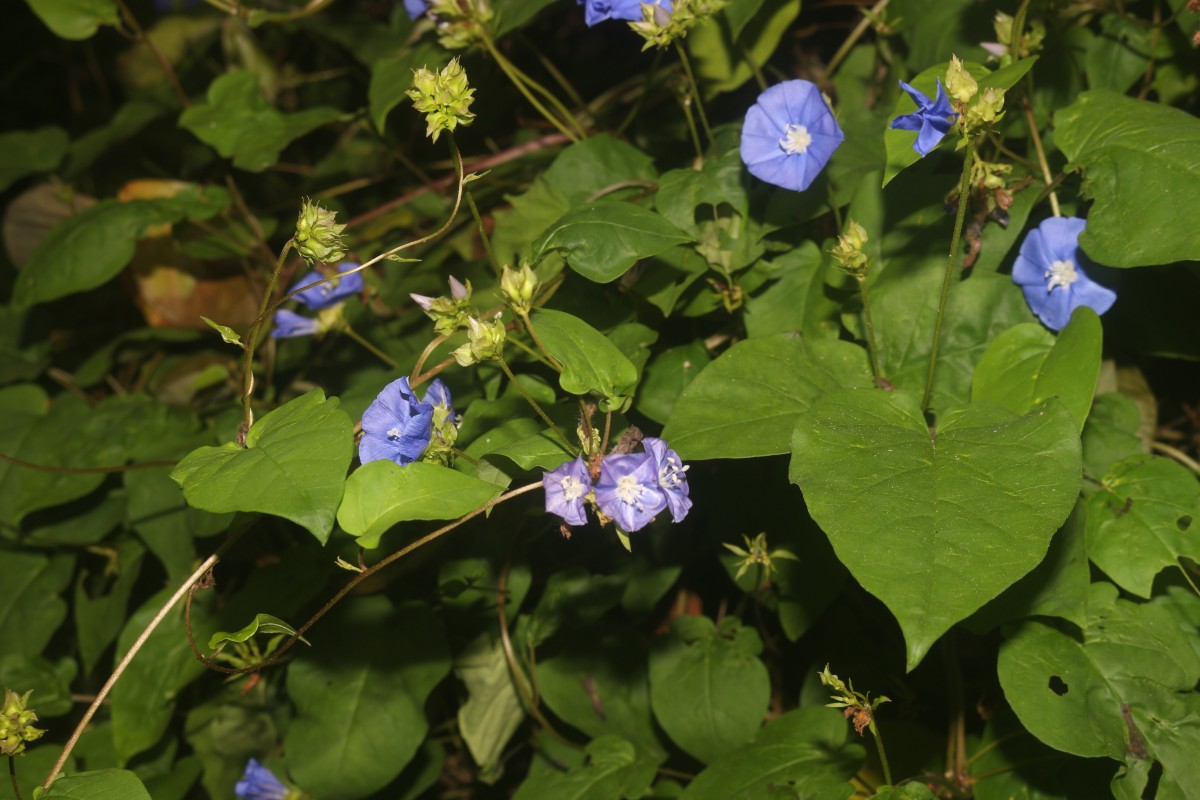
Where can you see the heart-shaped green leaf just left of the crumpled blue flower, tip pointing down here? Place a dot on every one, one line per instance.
(293, 466)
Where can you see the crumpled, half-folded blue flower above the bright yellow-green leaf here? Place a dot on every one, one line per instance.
(398, 426)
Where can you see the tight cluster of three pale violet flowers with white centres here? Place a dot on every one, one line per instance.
(629, 489)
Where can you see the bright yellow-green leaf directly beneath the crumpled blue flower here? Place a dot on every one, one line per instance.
(383, 494)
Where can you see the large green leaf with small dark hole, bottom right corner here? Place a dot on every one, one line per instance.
(1115, 691)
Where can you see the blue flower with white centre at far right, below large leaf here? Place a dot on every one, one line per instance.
(1051, 273)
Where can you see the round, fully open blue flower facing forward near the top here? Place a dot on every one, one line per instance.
(790, 135)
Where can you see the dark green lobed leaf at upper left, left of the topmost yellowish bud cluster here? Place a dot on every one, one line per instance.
(239, 124)
